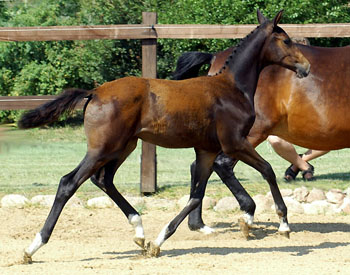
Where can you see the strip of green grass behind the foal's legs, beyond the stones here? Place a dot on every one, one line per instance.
(33, 161)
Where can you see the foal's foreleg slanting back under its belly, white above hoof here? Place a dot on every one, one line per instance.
(202, 173)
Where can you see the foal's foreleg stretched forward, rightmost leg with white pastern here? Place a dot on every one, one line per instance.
(248, 155)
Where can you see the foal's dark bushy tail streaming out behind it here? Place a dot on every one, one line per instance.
(52, 110)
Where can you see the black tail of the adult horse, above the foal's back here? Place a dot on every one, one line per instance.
(189, 64)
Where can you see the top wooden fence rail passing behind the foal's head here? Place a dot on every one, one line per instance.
(154, 31)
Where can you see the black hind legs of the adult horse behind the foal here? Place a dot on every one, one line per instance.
(223, 166)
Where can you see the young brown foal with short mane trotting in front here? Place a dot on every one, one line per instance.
(210, 114)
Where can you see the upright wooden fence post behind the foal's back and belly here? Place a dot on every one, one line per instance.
(149, 69)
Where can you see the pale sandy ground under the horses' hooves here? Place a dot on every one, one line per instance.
(88, 241)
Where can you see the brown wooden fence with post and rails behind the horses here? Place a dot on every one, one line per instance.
(149, 31)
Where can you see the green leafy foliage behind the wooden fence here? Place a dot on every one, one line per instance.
(40, 68)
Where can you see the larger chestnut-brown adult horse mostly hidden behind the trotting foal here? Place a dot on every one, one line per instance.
(310, 112)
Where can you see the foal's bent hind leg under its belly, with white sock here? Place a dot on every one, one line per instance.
(103, 178)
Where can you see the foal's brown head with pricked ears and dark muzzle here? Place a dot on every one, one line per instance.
(280, 49)
